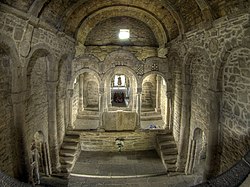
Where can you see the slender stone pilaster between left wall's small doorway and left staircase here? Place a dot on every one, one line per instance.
(52, 123)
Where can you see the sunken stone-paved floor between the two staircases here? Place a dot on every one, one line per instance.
(111, 164)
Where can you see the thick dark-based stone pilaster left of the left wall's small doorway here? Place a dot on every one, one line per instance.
(21, 148)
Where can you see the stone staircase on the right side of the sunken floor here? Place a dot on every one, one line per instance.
(166, 148)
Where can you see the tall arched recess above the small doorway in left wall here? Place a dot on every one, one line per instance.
(41, 99)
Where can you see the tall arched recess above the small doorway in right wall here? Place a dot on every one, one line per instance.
(198, 101)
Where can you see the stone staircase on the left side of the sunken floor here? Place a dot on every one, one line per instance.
(69, 152)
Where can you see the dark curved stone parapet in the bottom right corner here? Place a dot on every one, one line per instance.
(233, 177)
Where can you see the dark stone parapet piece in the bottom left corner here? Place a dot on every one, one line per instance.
(6, 180)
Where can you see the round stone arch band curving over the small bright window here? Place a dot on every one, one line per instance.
(108, 12)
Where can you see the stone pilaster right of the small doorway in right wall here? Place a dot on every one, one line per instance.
(212, 145)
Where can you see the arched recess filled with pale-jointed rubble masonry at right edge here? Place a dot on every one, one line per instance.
(234, 83)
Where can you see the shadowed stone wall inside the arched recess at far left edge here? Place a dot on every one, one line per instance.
(6, 115)
